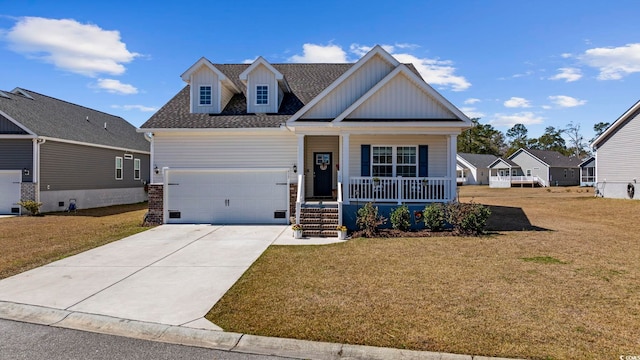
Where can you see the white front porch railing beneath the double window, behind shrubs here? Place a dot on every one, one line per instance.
(401, 190)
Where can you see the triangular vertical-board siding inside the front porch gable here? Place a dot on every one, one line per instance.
(401, 98)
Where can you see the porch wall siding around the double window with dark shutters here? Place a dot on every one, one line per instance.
(437, 163)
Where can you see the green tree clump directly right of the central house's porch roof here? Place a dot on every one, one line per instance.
(481, 139)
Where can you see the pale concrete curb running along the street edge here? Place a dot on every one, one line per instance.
(212, 339)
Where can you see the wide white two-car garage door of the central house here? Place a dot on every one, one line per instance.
(226, 196)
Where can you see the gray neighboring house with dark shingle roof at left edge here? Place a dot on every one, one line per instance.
(55, 152)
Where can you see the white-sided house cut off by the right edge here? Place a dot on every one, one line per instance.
(618, 157)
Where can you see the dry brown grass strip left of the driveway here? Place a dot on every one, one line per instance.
(27, 242)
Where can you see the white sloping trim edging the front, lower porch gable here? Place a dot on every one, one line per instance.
(403, 69)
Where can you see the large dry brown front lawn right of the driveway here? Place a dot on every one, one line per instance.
(558, 278)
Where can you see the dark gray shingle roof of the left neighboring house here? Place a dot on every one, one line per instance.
(51, 117)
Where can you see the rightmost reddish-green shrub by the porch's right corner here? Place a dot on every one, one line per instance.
(468, 219)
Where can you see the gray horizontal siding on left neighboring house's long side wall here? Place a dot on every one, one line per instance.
(65, 166)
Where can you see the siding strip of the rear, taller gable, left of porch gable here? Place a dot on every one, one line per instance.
(350, 90)
